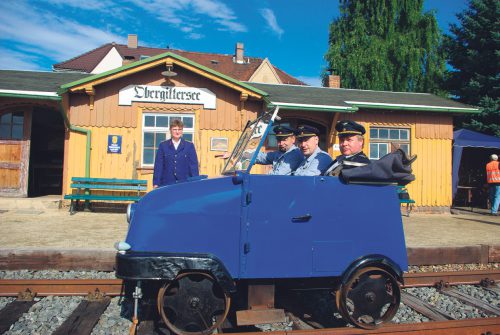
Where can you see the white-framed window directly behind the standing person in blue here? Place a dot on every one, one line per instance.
(155, 129)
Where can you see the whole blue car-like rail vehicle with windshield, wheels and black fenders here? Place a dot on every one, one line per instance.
(196, 244)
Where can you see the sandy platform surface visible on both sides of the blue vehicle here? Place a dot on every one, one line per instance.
(38, 228)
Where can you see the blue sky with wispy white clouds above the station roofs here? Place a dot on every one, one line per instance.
(293, 34)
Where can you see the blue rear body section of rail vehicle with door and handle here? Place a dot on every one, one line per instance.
(317, 226)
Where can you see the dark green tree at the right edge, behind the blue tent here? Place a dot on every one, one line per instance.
(474, 52)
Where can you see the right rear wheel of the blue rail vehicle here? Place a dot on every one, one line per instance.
(370, 298)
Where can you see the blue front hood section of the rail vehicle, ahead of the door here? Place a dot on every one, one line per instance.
(201, 216)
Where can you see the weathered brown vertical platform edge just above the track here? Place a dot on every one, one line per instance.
(104, 260)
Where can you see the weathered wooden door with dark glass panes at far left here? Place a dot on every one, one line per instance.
(15, 129)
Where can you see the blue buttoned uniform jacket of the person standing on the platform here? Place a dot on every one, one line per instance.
(174, 166)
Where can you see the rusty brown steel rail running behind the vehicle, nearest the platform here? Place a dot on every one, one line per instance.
(113, 287)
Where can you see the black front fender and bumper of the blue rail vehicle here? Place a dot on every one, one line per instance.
(166, 266)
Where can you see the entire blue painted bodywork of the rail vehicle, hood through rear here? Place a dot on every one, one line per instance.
(265, 226)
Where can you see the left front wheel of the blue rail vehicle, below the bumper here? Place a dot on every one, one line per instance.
(193, 304)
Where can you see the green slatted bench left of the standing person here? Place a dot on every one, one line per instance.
(83, 190)
